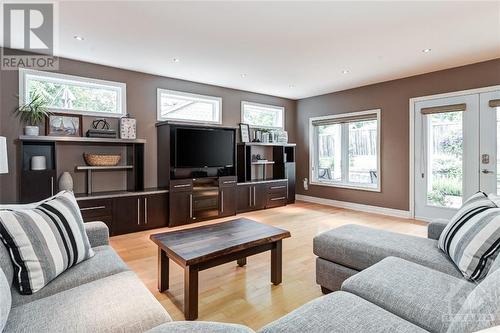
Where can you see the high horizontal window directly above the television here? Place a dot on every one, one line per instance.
(176, 105)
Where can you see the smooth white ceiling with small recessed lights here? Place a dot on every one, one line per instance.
(288, 49)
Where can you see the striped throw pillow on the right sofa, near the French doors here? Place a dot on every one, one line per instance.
(472, 237)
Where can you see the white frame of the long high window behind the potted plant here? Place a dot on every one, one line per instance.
(119, 87)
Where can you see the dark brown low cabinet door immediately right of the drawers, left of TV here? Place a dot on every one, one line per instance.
(127, 214)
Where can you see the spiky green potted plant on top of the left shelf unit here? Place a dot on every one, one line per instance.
(33, 113)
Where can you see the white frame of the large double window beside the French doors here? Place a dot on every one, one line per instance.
(313, 148)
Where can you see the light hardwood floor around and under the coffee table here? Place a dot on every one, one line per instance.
(244, 295)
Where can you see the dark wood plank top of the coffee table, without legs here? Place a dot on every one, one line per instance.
(199, 244)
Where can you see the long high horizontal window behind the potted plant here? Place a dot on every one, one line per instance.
(74, 94)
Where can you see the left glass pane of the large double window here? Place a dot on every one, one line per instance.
(330, 152)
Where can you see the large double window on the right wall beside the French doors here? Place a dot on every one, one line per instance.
(345, 150)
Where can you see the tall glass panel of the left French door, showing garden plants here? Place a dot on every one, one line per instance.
(445, 152)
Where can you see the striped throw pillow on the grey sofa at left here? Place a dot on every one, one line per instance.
(44, 241)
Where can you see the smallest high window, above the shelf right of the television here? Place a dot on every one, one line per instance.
(262, 116)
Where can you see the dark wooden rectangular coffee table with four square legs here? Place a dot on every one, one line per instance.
(199, 248)
